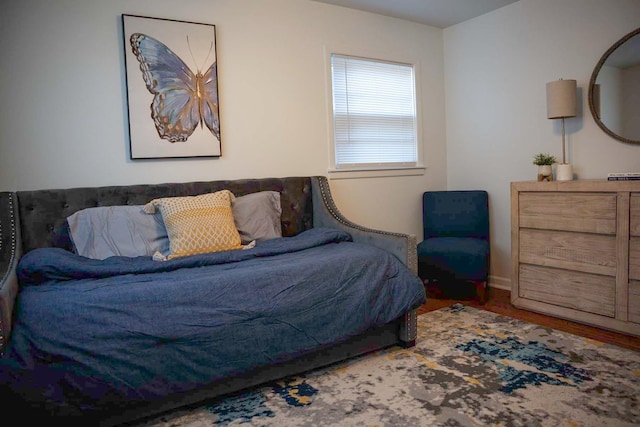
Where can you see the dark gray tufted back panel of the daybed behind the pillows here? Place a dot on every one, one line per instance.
(43, 213)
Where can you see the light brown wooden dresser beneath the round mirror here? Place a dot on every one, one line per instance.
(575, 251)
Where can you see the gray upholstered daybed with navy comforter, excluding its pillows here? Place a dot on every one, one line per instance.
(95, 340)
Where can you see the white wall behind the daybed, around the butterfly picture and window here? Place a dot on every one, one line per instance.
(63, 120)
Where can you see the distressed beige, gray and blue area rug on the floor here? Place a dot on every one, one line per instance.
(469, 368)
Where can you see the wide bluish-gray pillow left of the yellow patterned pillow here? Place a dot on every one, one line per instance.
(102, 232)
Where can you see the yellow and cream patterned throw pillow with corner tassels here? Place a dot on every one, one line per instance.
(198, 224)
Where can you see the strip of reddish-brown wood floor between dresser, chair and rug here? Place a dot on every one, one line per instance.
(499, 302)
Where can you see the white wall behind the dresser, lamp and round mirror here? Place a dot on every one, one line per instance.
(496, 68)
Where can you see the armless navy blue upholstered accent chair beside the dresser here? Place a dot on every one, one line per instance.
(456, 239)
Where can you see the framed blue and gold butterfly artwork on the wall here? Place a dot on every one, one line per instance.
(172, 88)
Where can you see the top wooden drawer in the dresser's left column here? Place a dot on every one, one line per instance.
(586, 212)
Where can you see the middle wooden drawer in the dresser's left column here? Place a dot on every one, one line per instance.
(591, 253)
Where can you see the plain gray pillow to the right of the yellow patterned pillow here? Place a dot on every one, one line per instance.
(257, 216)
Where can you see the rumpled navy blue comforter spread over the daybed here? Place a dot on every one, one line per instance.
(90, 332)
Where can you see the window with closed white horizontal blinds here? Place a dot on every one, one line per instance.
(374, 114)
